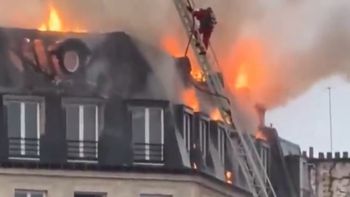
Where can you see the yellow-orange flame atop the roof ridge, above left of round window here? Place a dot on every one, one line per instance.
(54, 23)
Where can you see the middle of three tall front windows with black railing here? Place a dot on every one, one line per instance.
(83, 122)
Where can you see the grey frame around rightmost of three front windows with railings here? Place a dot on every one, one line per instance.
(147, 133)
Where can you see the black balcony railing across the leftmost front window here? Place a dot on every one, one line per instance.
(24, 147)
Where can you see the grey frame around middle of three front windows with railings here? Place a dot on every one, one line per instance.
(81, 103)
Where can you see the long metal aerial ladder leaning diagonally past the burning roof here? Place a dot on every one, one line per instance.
(257, 179)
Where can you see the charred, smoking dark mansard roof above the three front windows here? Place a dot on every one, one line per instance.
(114, 67)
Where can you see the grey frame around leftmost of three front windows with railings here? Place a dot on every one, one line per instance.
(40, 122)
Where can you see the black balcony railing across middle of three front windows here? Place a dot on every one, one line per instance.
(82, 150)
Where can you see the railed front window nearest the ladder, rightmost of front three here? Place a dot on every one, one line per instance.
(147, 125)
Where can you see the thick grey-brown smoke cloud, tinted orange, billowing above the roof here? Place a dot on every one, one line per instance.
(306, 40)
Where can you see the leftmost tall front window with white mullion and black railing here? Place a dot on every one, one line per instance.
(25, 123)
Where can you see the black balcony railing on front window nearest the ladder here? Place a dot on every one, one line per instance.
(148, 153)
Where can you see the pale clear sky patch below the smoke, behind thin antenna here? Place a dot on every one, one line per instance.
(306, 121)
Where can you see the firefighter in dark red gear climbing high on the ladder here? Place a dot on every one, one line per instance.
(207, 21)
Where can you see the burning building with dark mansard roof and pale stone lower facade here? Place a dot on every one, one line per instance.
(92, 117)
